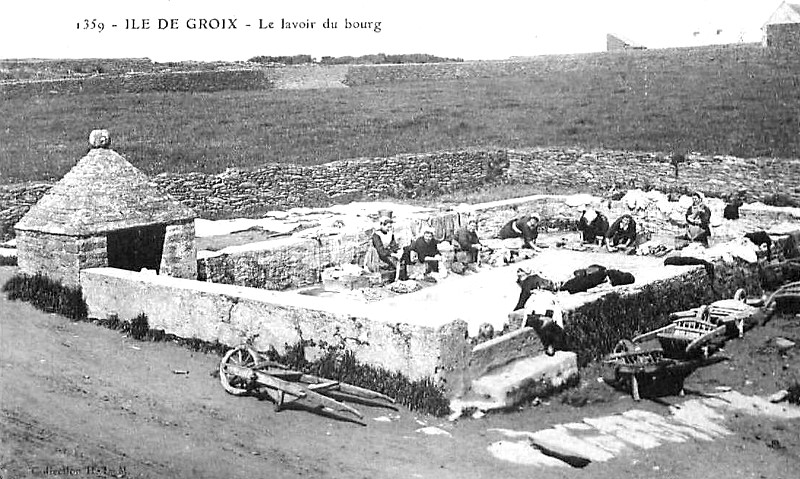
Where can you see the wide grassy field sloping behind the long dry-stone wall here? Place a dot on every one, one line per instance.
(741, 100)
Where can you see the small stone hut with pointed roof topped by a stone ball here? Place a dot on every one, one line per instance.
(106, 213)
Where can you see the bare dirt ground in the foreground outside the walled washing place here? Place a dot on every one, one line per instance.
(80, 400)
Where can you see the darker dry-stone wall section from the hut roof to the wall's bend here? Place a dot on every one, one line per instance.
(280, 185)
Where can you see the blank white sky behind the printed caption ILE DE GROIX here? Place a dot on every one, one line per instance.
(171, 30)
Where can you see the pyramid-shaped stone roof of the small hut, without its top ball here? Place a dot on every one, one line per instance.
(102, 193)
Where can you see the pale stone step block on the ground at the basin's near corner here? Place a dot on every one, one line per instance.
(520, 380)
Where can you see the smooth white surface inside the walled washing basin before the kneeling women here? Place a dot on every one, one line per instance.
(490, 294)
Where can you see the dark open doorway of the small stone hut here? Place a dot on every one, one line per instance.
(136, 248)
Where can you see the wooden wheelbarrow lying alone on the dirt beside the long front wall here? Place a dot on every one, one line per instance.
(242, 371)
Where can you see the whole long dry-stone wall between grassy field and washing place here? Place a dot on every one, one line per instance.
(554, 170)
